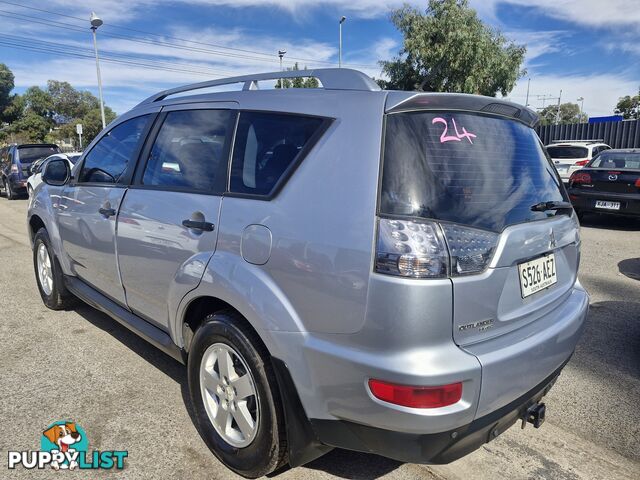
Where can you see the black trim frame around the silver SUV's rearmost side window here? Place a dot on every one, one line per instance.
(289, 171)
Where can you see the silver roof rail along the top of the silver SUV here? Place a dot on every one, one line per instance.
(330, 78)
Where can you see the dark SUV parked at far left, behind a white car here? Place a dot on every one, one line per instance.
(16, 163)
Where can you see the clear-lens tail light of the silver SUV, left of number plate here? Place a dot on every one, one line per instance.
(429, 250)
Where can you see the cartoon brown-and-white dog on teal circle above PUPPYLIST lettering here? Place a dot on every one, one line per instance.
(66, 438)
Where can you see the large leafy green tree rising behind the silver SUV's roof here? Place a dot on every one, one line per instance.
(449, 49)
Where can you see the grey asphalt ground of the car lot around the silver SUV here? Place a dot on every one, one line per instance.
(81, 365)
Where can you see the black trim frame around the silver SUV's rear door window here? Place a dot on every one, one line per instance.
(136, 179)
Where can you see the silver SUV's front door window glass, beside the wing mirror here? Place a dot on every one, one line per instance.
(108, 159)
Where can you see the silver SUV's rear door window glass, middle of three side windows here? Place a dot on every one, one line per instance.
(190, 151)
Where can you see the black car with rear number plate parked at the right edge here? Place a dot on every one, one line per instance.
(609, 184)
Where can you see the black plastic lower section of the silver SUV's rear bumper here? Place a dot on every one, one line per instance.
(437, 448)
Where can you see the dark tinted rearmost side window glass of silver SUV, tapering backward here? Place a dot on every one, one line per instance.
(267, 144)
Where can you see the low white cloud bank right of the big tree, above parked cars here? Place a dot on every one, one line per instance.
(600, 91)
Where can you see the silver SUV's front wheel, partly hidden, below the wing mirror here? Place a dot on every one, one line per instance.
(52, 289)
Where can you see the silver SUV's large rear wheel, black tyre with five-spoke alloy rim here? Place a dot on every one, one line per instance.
(264, 449)
